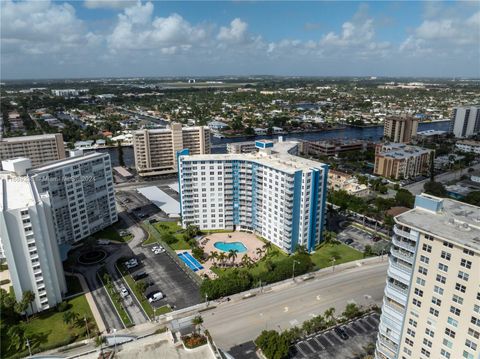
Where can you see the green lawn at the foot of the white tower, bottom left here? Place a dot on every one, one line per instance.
(47, 330)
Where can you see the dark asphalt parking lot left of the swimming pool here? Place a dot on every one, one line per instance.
(179, 289)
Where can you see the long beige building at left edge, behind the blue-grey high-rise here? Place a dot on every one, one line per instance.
(39, 149)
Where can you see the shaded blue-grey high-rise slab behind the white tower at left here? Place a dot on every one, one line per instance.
(81, 194)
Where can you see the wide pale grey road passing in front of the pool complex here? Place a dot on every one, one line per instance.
(236, 323)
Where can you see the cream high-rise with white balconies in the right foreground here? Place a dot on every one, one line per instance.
(431, 307)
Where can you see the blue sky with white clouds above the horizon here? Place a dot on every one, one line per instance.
(114, 38)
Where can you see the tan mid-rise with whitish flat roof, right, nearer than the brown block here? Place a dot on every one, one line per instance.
(397, 160)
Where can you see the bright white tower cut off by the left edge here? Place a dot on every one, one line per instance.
(29, 243)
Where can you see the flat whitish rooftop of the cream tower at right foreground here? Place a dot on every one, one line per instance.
(454, 221)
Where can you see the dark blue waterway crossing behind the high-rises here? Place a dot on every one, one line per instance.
(219, 145)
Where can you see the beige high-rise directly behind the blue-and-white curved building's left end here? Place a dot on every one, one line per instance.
(155, 150)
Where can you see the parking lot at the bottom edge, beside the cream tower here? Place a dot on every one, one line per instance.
(329, 344)
